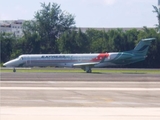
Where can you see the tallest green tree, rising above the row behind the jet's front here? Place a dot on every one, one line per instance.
(48, 24)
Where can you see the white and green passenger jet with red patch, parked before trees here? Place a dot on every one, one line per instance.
(84, 61)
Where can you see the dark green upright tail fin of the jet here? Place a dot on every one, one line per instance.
(142, 46)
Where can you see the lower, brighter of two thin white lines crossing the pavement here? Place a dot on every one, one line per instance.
(79, 88)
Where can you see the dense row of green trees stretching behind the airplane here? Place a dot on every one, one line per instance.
(53, 31)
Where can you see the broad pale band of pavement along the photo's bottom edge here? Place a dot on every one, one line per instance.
(79, 113)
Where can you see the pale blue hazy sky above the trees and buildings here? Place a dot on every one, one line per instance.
(88, 13)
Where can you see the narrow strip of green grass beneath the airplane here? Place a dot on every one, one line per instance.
(78, 70)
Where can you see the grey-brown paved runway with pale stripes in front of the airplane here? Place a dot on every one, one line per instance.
(80, 96)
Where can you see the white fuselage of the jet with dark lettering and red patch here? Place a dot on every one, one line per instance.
(61, 60)
